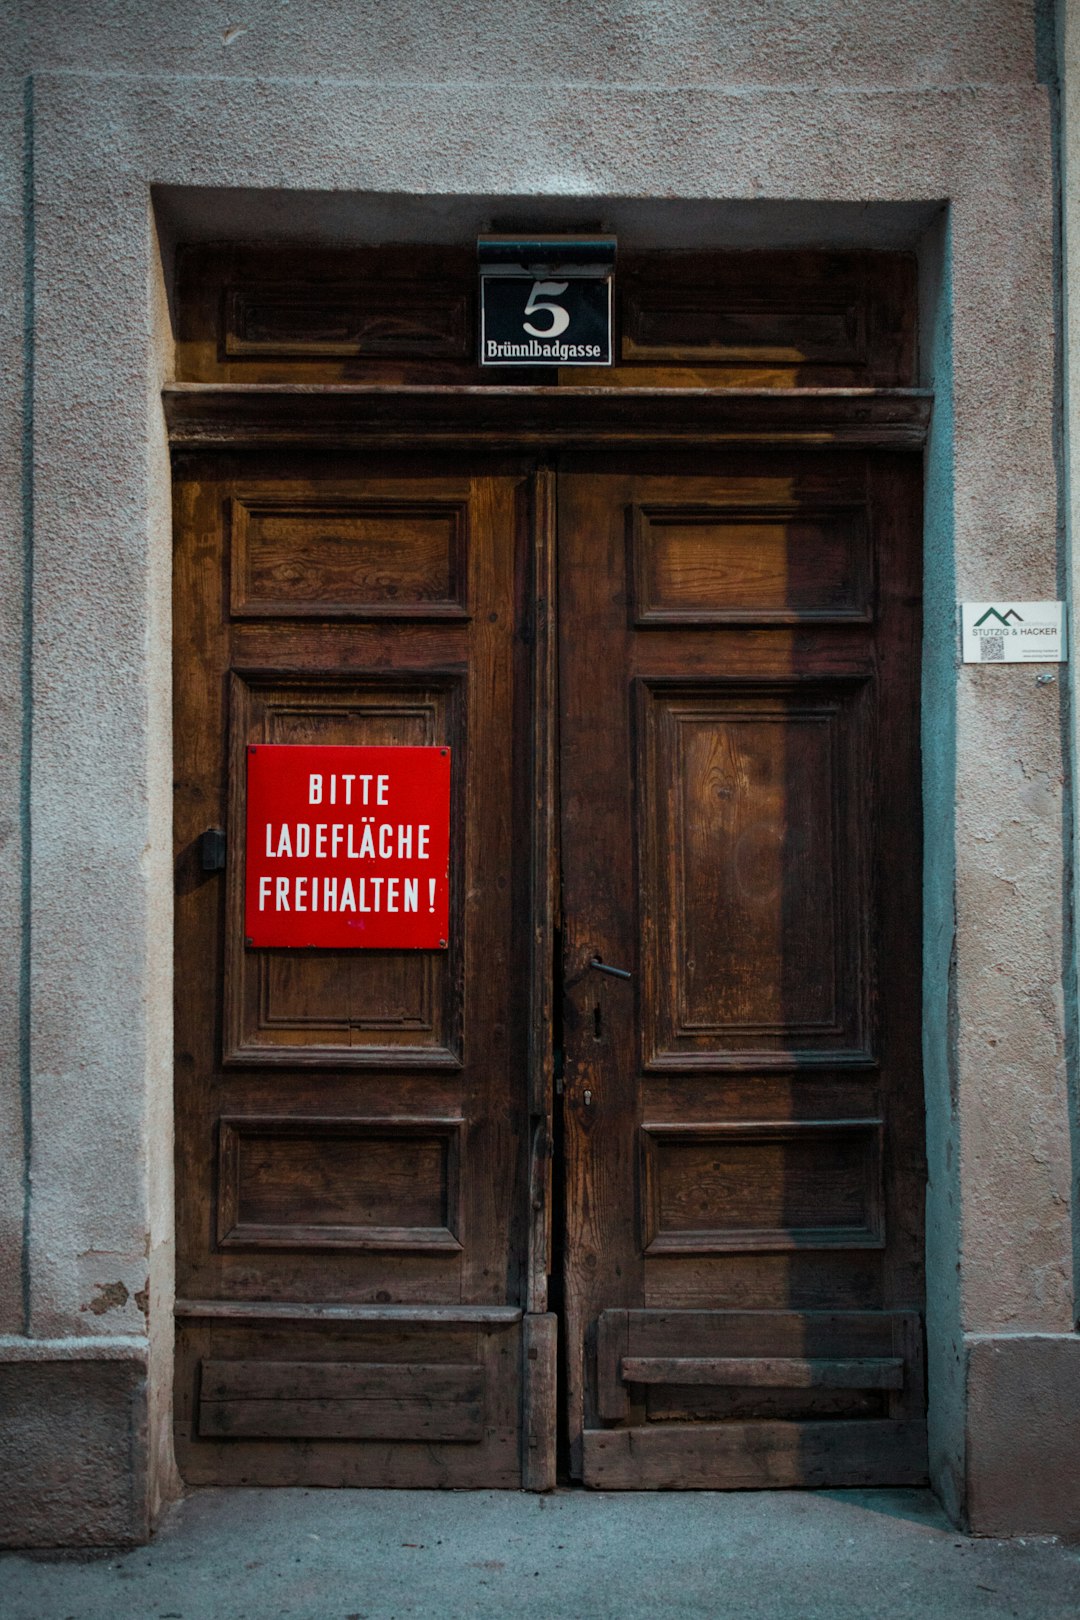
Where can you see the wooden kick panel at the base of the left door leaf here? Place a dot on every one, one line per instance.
(351, 1399)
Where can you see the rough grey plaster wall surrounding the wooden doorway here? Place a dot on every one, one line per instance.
(101, 764)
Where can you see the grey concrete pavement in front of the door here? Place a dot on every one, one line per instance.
(697, 1556)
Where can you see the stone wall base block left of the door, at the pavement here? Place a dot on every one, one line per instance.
(74, 1439)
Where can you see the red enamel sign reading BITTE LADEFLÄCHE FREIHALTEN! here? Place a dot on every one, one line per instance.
(347, 848)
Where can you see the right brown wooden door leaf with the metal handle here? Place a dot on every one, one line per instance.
(739, 696)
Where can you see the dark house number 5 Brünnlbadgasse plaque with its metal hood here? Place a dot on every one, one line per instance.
(546, 301)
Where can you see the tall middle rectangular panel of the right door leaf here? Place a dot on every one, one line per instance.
(755, 884)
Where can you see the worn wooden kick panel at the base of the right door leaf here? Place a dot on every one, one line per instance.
(754, 1399)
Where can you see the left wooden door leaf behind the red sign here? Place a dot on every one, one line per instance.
(352, 1125)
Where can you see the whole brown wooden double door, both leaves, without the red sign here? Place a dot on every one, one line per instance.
(634, 1166)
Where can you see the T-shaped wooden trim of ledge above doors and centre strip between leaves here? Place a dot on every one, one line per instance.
(540, 422)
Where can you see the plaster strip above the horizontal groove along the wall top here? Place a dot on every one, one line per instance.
(883, 43)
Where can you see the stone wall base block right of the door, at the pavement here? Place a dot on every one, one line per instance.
(1024, 1435)
